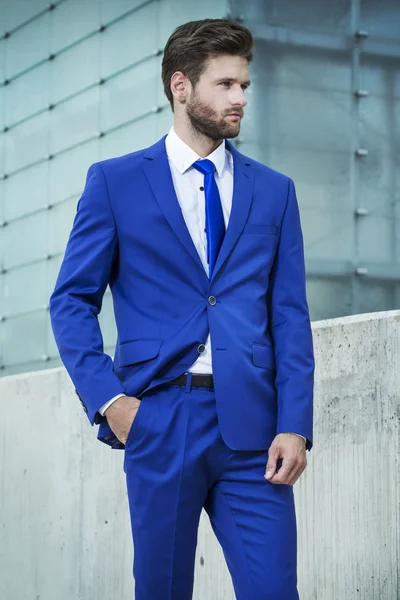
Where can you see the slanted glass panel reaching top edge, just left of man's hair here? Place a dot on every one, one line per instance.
(129, 40)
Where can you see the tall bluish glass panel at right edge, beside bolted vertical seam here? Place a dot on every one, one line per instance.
(377, 173)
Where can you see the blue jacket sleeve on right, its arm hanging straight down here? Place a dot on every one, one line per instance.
(290, 327)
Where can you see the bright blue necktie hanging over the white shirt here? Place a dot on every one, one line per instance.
(215, 225)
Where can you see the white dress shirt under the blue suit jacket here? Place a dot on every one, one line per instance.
(188, 183)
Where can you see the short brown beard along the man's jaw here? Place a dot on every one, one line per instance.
(206, 121)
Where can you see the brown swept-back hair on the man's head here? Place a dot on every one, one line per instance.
(193, 43)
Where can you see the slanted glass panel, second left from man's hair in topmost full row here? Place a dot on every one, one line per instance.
(75, 69)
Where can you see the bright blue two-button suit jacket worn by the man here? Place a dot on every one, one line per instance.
(129, 233)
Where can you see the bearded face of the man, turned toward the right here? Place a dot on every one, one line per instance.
(219, 93)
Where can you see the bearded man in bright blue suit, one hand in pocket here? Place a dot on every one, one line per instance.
(211, 390)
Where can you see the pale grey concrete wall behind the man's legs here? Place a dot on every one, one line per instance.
(64, 520)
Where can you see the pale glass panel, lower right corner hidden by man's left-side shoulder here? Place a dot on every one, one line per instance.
(67, 171)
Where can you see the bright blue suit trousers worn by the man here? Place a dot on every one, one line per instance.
(176, 463)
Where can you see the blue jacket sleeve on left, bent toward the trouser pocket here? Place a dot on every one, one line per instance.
(78, 294)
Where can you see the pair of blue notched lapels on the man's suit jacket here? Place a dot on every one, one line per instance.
(158, 174)
